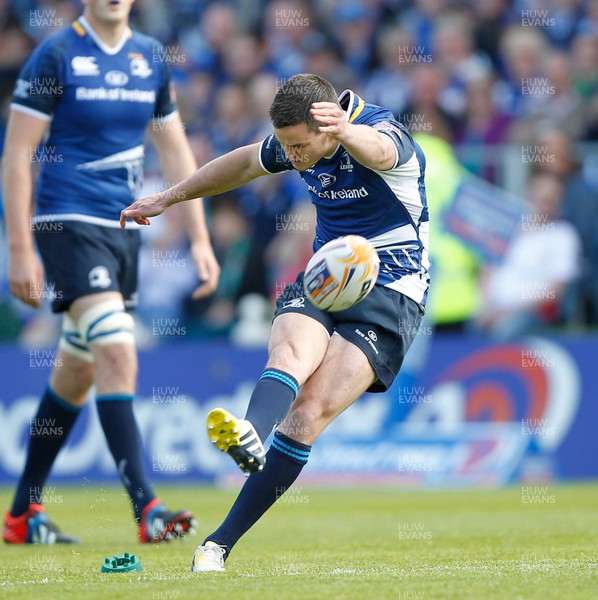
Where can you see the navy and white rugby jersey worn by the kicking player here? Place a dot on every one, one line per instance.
(387, 207)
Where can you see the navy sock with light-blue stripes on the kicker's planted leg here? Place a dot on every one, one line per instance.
(284, 462)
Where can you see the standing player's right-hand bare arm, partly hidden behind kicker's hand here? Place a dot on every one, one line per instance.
(177, 162)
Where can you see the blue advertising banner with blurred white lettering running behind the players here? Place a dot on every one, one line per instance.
(482, 414)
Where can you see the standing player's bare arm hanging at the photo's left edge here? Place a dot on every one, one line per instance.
(25, 272)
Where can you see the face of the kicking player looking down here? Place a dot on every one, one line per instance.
(303, 146)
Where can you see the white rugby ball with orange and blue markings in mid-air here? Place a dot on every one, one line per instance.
(341, 273)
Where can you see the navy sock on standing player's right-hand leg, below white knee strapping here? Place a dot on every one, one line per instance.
(120, 428)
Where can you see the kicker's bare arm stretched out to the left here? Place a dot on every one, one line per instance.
(228, 172)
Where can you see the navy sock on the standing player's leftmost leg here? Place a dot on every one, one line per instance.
(48, 431)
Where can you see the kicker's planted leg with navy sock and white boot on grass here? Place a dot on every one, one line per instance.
(342, 377)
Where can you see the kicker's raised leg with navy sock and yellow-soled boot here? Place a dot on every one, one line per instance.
(297, 346)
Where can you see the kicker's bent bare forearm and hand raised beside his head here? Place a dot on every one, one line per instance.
(367, 146)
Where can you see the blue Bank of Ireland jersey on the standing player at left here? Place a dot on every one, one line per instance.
(99, 101)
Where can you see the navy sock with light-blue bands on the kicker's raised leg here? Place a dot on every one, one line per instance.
(270, 401)
